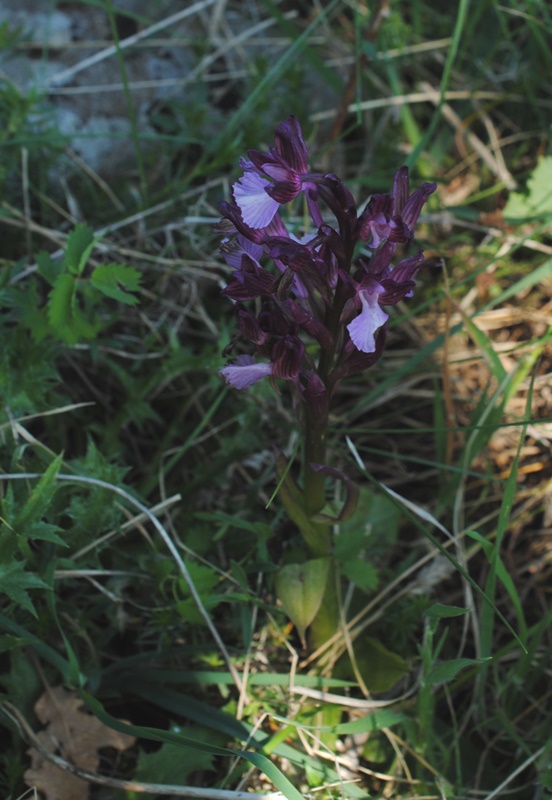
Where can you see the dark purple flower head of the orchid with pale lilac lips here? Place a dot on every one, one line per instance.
(316, 289)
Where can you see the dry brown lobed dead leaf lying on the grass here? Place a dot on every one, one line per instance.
(74, 735)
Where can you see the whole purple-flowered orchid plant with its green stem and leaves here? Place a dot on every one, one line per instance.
(310, 305)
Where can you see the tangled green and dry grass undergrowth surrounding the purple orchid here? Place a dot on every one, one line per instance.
(131, 475)
